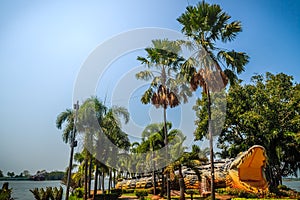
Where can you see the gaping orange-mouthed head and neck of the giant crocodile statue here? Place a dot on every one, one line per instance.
(245, 172)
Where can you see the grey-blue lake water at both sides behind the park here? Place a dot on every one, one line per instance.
(21, 188)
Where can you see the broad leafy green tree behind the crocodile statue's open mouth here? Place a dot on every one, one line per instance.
(265, 112)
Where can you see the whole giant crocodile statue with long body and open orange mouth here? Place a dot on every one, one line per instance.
(245, 172)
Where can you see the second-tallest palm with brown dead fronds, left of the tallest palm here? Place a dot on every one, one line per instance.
(165, 90)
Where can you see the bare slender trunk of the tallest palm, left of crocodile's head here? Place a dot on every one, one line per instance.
(211, 145)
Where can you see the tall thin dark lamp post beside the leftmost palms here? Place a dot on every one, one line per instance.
(73, 144)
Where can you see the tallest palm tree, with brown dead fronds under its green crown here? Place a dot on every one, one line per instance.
(205, 25)
